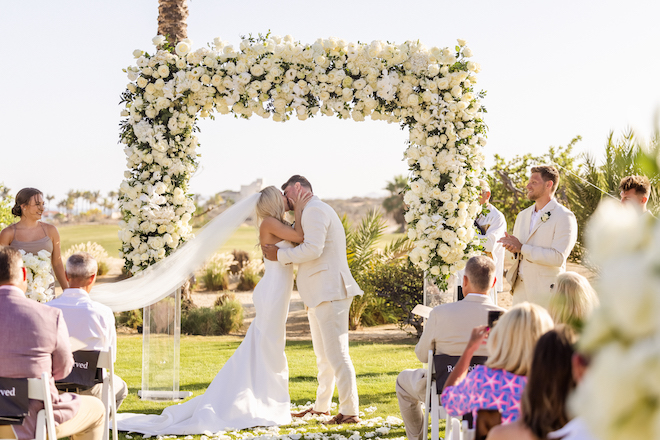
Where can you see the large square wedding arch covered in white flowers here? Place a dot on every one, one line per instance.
(428, 91)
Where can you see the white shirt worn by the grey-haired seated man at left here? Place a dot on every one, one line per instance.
(89, 321)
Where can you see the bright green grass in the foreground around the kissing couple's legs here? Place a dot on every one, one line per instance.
(376, 364)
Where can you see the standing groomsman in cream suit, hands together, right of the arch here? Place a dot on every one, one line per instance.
(543, 236)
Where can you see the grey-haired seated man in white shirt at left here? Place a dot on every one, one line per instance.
(89, 321)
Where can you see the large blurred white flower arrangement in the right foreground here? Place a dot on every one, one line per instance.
(619, 395)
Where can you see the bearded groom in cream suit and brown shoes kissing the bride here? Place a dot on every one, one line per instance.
(327, 288)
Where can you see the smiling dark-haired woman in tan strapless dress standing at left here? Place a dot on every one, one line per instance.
(31, 234)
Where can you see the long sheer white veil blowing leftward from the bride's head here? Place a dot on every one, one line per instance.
(164, 277)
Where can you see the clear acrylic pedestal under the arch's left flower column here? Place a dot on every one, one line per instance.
(161, 334)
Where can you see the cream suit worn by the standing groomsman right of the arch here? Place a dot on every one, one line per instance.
(545, 248)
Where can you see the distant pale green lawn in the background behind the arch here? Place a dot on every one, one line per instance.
(245, 238)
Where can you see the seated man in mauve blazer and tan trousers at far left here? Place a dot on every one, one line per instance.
(35, 340)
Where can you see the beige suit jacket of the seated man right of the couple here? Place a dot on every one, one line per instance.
(448, 328)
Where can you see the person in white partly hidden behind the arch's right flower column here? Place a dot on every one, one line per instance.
(493, 225)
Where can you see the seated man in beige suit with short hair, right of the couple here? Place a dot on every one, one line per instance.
(447, 331)
